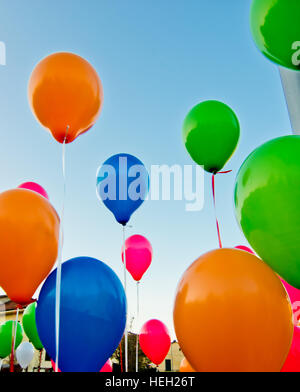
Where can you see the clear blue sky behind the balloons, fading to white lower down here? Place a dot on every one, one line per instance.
(156, 60)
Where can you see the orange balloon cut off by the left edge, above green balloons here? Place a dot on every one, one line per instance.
(29, 234)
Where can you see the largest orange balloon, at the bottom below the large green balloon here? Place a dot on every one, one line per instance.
(231, 313)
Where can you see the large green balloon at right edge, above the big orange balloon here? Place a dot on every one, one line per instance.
(267, 204)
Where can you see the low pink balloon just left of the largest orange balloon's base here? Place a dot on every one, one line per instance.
(155, 340)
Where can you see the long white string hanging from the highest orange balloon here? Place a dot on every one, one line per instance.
(59, 261)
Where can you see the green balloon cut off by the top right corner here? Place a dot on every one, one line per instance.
(275, 29)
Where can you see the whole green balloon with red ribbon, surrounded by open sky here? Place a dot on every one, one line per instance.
(211, 133)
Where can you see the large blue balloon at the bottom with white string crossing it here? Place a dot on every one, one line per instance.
(92, 315)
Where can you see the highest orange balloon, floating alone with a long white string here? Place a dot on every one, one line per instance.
(65, 94)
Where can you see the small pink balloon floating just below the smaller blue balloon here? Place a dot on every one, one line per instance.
(138, 256)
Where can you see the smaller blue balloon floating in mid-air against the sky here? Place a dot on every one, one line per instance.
(122, 185)
